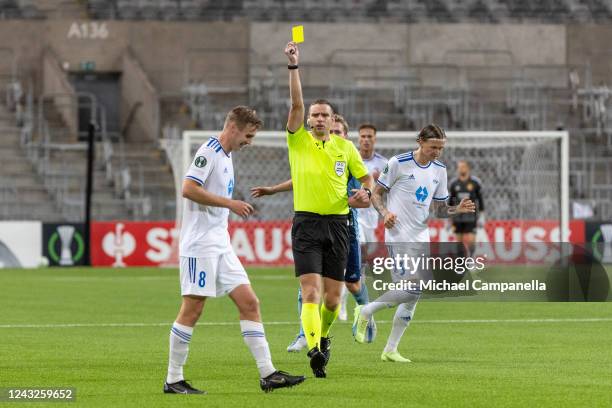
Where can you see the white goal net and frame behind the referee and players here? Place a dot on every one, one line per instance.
(524, 176)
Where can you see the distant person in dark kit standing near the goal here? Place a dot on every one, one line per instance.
(466, 186)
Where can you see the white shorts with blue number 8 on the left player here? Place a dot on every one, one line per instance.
(212, 276)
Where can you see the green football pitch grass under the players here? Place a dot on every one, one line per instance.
(105, 333)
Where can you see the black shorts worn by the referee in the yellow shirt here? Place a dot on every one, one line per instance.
(320, 244)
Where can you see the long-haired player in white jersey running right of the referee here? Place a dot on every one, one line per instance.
(414, 181)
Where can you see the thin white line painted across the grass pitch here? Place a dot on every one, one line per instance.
(469, 321)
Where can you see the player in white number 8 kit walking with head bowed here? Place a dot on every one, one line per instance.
(208, 265)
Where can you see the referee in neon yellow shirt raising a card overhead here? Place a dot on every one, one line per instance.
(320, 165)
